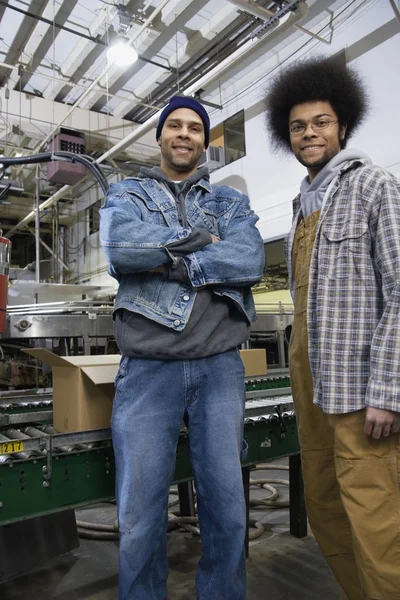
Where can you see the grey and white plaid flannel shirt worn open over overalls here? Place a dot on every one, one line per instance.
(353, 307)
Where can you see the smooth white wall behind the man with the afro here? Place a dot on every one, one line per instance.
(272, 180)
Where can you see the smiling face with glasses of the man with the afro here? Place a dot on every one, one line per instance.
(314, 149)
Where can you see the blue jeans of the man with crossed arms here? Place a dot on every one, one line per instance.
(152, 399)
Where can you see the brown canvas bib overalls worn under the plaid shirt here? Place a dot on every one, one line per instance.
(352, 482)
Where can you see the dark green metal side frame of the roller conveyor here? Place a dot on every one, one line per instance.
(80, 478)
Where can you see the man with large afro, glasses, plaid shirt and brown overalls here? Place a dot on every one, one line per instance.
(343, 254)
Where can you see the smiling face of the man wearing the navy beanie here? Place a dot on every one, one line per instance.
(181, 143)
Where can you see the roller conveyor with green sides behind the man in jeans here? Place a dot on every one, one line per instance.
(75, 469)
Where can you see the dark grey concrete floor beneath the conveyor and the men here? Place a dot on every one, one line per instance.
(280, 567)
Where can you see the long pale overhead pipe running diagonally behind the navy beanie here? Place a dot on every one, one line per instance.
(298, 14)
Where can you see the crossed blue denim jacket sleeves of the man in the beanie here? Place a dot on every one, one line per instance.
(132, 245)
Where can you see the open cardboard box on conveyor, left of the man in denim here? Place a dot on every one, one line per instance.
(83, 389)
